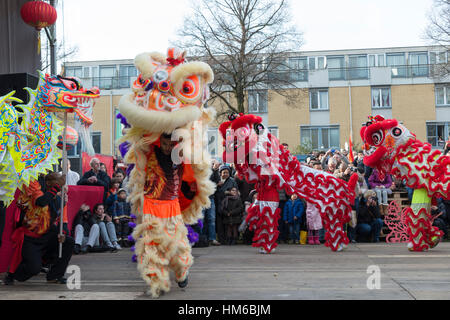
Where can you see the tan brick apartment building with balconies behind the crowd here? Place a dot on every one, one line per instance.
(338, 90)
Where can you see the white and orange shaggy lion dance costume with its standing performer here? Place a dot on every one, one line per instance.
(167, 98)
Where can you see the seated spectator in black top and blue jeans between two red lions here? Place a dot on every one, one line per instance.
(369, 222)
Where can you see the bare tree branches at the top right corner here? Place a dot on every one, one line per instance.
(438, 31)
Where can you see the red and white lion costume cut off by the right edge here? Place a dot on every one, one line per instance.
(393, 149)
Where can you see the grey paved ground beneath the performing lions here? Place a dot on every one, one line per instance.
(240, 273)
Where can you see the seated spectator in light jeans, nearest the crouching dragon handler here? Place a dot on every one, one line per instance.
(85, 231)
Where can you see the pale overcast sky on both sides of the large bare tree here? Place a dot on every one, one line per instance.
(113, 29)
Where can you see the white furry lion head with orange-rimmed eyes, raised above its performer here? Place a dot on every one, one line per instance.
(168, 93)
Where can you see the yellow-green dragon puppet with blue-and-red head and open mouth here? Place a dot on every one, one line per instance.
(29, 132)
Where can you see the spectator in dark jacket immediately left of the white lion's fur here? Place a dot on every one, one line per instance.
(121, 214)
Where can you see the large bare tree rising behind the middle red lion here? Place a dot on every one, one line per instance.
(247, 43)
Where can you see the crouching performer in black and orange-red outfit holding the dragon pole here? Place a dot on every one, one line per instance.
(39, 238)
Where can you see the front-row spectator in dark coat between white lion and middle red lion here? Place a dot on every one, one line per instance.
(232, 209)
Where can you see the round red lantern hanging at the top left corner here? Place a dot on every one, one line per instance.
(38, 14)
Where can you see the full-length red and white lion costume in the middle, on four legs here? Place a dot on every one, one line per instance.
(260, 158)
